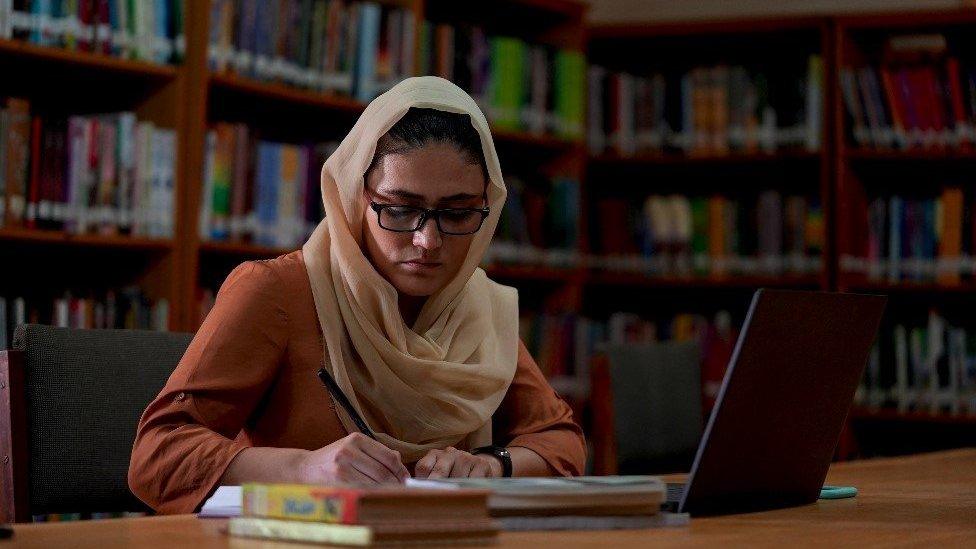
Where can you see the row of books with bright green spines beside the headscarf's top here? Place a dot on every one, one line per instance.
(520, 86)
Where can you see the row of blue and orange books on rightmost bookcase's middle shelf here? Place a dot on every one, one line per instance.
(918, 239)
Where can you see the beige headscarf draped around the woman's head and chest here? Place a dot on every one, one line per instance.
(435, 384)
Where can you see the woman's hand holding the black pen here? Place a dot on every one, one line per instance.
(355, 459)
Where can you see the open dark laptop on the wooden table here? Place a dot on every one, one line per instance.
(784, 399)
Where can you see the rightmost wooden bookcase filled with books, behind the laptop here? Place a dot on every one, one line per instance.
(893, 167)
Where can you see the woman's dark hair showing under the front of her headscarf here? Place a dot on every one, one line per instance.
(422, 126)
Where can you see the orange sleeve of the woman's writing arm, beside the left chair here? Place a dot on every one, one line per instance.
(189, 434)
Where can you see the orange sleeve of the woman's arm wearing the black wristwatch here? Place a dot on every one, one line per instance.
(534, 416)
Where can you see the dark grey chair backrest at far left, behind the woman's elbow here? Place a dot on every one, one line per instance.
(73, 402)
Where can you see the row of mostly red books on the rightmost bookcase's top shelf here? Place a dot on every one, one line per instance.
(919, 97)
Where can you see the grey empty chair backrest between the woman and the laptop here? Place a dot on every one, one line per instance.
(657, 405)
